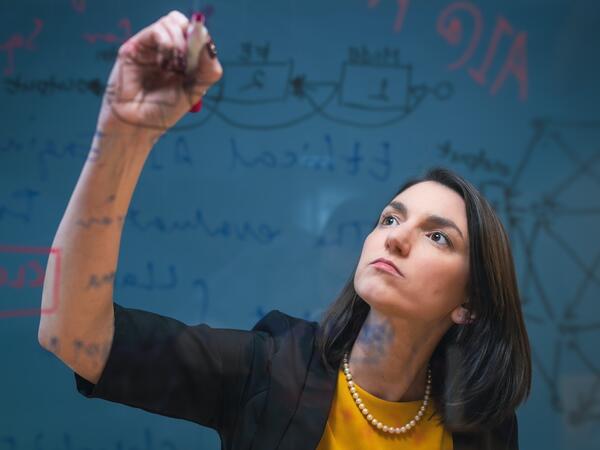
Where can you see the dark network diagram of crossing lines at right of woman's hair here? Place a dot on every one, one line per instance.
(547, 216)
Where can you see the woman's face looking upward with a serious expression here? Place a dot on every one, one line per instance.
(416, 232)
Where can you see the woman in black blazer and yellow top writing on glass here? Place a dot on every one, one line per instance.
(425, 347)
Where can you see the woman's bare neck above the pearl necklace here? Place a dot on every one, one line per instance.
(389, 358)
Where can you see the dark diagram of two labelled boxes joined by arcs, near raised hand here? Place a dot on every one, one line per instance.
(374, 89)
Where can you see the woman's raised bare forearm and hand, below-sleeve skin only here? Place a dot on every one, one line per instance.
(152, 85)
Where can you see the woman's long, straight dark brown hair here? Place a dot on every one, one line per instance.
(481, 372)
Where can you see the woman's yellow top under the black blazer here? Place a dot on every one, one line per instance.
(347, 428)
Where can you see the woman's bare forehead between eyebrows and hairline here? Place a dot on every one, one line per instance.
(431, 198)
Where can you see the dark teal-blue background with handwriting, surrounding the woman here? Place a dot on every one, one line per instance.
(282, 181)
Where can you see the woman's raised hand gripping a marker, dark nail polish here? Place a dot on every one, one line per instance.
(149, 86)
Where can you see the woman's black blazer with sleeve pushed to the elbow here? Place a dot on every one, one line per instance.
(261, 389)
